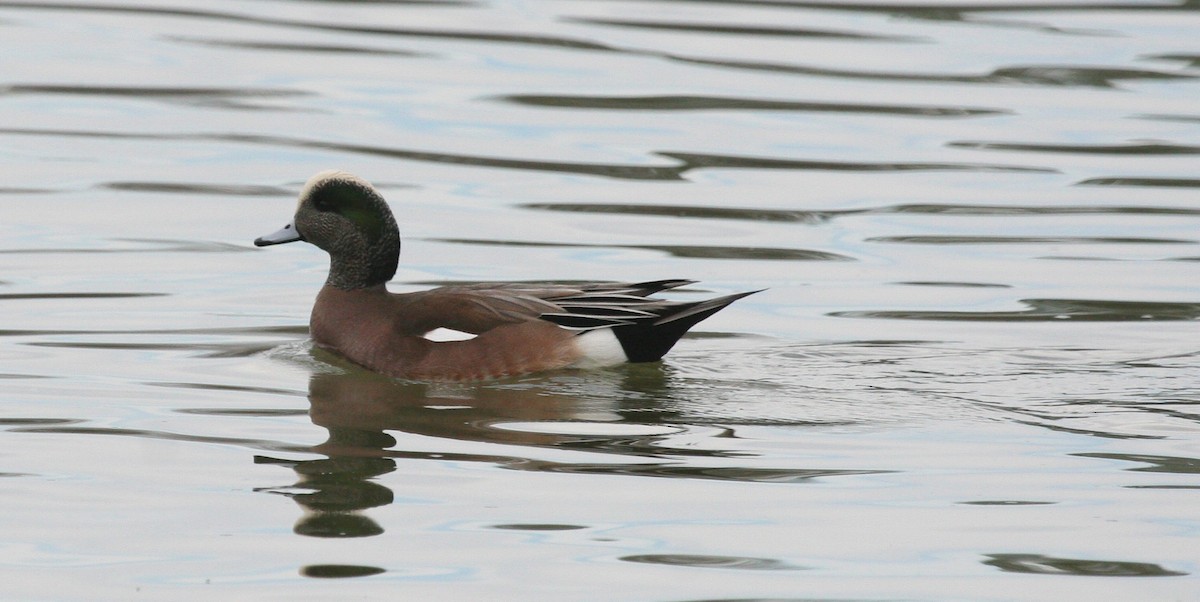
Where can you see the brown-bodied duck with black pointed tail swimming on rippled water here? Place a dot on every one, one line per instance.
(505, 329)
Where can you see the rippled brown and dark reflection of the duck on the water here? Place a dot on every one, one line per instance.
(635, 416)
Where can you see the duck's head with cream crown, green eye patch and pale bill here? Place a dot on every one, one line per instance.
(350, 220)
